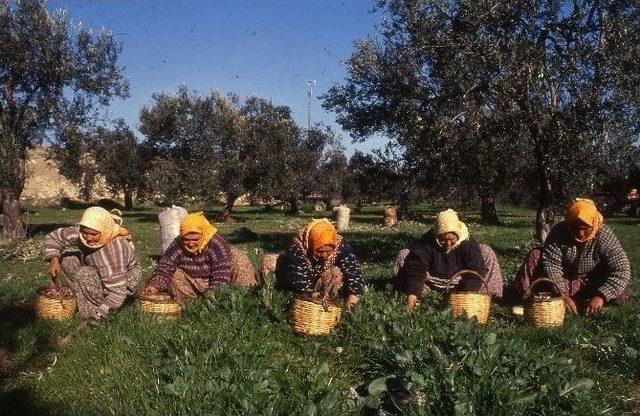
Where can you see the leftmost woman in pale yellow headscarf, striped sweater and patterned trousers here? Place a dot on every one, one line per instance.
(102, 267)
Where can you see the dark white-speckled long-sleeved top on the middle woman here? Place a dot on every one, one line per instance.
(304, 272)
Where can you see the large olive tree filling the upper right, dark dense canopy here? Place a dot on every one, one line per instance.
(543, 87)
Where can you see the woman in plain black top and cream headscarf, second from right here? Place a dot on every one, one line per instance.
(442, 252)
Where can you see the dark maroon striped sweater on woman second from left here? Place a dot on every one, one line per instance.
(212, 266)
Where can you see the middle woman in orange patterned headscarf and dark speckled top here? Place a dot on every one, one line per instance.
(319, 262)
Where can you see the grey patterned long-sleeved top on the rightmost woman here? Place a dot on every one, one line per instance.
(563, 257)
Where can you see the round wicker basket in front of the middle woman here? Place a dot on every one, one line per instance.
(309, 317)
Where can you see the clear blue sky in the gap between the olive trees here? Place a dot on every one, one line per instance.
(269, 48)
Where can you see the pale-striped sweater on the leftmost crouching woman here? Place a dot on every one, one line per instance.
(111, 262)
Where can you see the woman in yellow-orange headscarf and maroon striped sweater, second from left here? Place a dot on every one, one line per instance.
(198, 261)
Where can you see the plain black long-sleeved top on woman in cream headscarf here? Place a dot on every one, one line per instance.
(427, 262)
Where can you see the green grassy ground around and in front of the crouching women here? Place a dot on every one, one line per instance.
(233, 353)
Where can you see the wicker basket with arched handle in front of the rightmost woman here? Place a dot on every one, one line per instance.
(546, 313)
